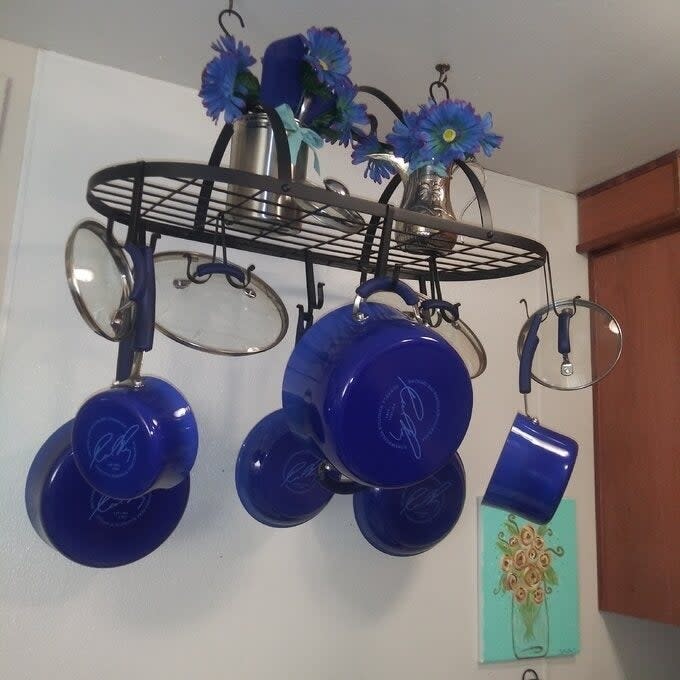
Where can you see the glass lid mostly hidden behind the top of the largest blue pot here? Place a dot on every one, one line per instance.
(455, 331)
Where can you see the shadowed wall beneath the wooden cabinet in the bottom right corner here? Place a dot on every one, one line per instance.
(645, 649)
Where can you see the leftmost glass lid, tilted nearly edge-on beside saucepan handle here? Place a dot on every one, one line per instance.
(100, 280)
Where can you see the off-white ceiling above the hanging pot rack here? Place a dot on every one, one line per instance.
(581, 89)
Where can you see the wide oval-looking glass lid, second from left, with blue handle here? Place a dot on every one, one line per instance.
(215, 313)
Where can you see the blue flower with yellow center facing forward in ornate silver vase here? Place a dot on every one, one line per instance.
(452, 130)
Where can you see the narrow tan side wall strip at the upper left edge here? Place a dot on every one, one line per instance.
(17, 63)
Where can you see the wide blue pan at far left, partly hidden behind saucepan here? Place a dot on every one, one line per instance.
(86, 526)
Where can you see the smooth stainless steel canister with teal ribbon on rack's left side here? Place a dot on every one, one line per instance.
(253, 149)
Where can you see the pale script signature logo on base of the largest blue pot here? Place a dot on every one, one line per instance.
(408, 415)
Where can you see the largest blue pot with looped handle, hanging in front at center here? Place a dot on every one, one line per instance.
(385, 398)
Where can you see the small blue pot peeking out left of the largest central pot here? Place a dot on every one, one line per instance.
(276, 474)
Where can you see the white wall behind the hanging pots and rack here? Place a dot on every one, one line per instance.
(225, 596)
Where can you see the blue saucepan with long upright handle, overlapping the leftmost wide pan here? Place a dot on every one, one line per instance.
(140, 434)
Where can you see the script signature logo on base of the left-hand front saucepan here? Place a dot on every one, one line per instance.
(111, 445)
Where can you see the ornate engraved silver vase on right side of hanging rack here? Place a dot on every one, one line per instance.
(427, 193)
